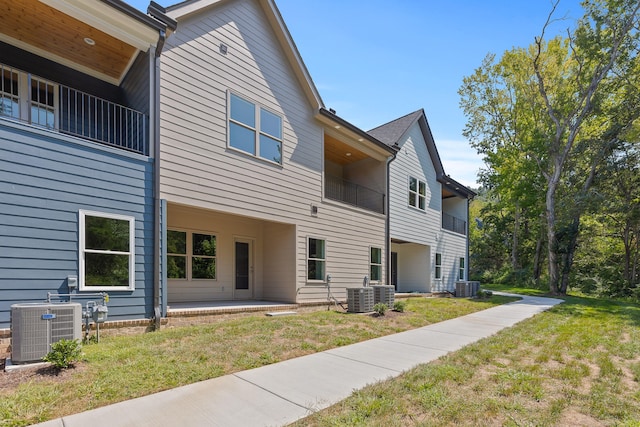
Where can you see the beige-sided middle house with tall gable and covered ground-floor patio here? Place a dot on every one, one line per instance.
(269, 195)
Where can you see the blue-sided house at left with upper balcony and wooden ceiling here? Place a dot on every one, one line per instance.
(77, 132)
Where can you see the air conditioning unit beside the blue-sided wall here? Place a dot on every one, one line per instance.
(35, 326)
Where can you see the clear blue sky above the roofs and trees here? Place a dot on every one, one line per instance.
(374, 61)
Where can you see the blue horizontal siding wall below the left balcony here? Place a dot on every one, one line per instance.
(45, 179)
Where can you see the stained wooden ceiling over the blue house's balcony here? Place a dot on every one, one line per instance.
(47, 31)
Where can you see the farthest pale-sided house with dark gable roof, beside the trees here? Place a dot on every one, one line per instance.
(428, 211)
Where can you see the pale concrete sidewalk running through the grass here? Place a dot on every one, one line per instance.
(284, 392)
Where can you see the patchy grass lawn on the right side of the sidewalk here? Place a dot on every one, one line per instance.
(576, 364)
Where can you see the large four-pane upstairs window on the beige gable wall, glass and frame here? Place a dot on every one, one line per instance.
(254, 130)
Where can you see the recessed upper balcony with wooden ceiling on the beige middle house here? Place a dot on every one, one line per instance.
(355, 165)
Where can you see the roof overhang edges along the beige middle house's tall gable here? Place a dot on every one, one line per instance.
(187, 8)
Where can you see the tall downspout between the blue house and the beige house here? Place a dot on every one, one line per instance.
(157, 296)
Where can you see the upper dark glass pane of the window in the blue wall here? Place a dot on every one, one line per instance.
(106, 234)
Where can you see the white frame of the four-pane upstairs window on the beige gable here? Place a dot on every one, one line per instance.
(257, 129)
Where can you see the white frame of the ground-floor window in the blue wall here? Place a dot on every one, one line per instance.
(82, 251)
